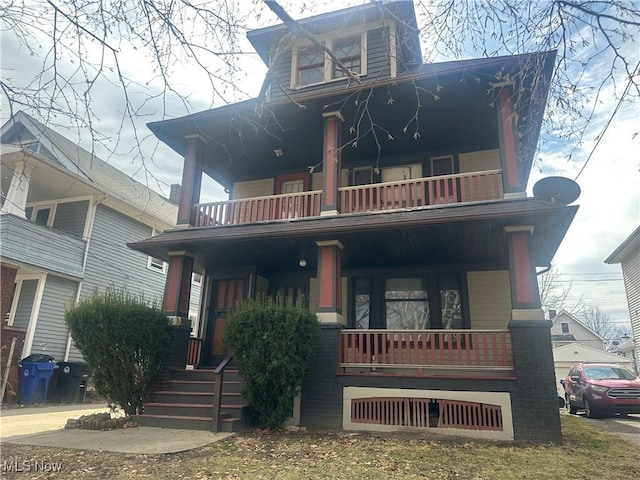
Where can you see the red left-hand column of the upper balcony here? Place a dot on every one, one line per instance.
(191, 180)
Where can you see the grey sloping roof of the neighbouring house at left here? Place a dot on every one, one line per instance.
(89, 167)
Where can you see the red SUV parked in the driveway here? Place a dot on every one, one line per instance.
(602, 388)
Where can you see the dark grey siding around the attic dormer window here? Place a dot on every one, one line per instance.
(378, 67)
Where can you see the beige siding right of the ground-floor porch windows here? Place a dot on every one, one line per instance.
(489, 299)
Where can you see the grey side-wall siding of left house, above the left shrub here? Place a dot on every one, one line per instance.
(111, 263)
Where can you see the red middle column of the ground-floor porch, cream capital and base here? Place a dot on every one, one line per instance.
(330, 282)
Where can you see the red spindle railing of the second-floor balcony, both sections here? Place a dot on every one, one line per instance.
(427, 192)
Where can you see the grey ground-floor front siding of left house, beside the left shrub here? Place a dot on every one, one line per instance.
(51, 333)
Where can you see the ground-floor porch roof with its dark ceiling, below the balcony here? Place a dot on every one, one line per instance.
(467, 234)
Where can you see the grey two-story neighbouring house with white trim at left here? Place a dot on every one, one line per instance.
(65, 220)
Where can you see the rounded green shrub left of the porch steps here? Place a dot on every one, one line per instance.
(125, 340)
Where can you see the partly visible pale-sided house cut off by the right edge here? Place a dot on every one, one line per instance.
(628, 256)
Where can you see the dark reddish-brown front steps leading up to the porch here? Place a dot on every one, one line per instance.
(186, 401)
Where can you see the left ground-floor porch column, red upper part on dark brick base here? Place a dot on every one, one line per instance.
(175, 305)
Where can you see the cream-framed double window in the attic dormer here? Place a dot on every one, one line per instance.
(313, 65)
